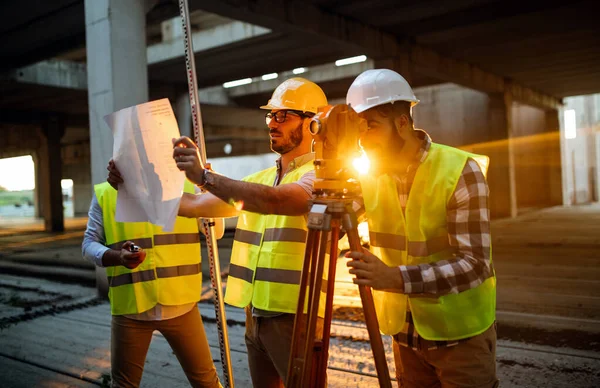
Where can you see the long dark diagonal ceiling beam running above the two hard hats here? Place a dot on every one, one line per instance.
(291, 17)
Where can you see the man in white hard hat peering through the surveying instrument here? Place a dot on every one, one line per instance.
(428, 214)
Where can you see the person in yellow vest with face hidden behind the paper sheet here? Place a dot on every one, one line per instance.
(155, 282)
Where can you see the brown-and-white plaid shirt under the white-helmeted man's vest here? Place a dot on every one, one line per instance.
(468, 220)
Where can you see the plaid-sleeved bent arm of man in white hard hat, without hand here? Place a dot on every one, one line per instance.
(468, 219)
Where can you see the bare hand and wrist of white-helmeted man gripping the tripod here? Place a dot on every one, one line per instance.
(371, 271)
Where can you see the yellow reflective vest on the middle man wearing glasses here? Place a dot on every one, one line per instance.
(268, 255)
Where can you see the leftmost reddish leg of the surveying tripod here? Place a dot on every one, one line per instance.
(296, 362)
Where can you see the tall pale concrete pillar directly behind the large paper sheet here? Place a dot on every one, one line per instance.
(117, 76)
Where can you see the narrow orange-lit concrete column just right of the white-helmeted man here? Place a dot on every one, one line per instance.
(501, 174)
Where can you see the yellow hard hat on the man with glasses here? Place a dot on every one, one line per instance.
(297, 94)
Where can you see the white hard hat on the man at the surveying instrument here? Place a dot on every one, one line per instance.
(377, 87)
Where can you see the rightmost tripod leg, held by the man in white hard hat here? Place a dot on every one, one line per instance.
(383, 373)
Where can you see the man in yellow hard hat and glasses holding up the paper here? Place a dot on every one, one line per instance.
(269, 244)
